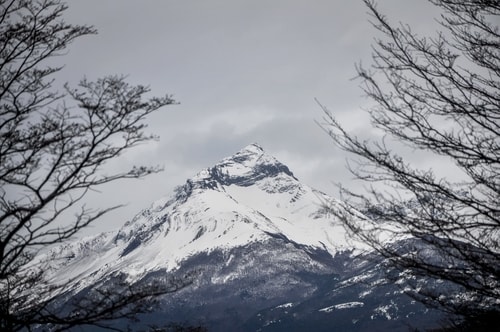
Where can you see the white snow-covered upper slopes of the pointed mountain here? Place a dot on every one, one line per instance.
(243, 199)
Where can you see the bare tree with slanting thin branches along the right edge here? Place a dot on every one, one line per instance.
(440, 95)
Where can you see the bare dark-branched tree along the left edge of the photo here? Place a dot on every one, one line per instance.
(53, 146)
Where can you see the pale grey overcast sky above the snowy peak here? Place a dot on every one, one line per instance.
(243, 72)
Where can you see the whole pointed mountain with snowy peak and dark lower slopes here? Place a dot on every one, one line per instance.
(267, 252)
